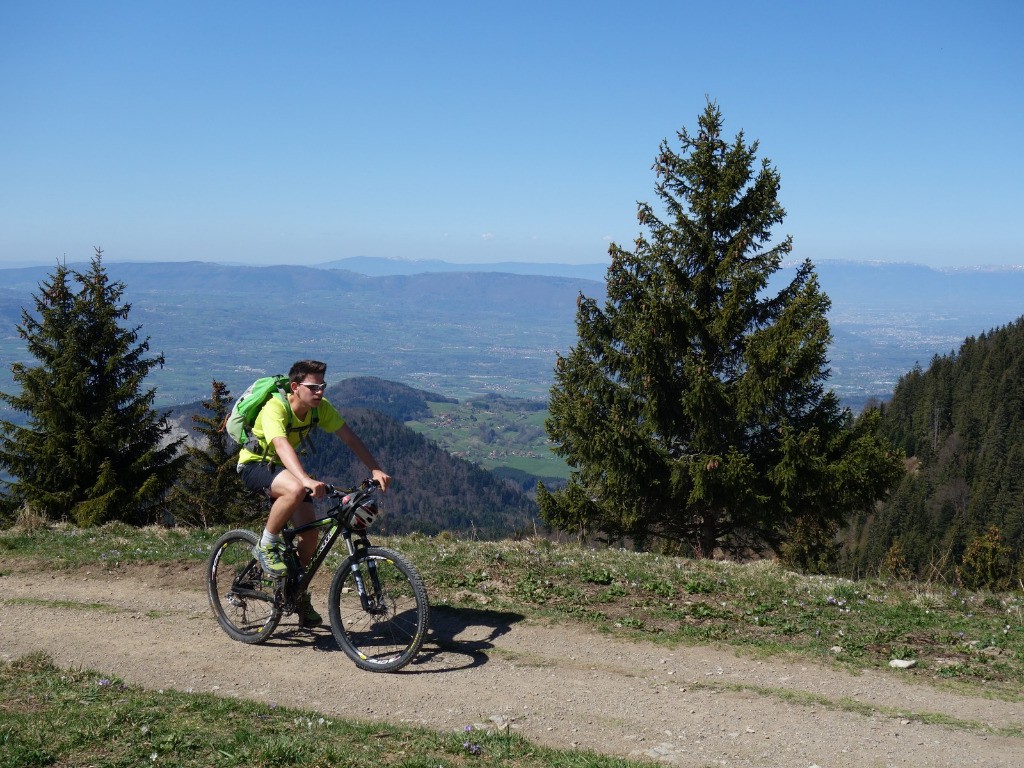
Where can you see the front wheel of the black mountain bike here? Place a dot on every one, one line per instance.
(379, 610)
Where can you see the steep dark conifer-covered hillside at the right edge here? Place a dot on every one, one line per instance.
(962, 426)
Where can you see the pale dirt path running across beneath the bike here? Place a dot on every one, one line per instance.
(563, 688)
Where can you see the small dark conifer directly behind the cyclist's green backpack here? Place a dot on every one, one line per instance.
(208, 491)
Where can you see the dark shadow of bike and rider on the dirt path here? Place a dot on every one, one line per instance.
(457, 639)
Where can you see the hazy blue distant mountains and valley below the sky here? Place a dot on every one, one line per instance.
(464, 330)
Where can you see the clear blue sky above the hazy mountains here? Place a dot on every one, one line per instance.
(271, 133)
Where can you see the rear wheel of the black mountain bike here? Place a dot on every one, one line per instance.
(241, 595)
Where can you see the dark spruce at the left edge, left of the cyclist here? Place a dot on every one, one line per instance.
(93, 449)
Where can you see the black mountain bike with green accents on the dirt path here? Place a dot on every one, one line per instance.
(377, 603)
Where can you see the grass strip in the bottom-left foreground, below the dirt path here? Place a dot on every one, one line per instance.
(60, 717)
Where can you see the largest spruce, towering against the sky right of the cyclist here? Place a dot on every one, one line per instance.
(694, 408)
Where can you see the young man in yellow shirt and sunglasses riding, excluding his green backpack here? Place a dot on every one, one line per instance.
(276, 470)
